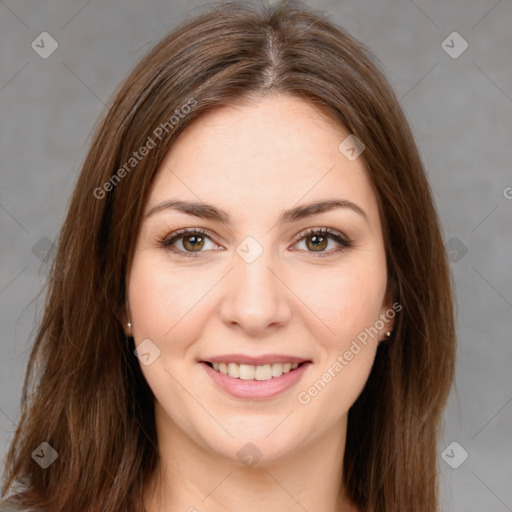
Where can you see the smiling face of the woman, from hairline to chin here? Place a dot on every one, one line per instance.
(253, 291)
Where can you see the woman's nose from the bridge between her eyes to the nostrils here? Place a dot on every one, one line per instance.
(256, 297)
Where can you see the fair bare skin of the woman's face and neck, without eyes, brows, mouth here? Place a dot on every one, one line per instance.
(254, 162)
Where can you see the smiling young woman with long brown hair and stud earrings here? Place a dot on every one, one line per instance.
(250, 307)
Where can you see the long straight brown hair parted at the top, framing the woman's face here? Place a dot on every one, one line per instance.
(84, 392)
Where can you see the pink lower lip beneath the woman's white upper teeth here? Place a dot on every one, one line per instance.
(256, 389)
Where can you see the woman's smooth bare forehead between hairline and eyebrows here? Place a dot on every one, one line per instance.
(279, 150)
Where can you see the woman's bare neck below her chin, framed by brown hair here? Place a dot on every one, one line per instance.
(190, 477)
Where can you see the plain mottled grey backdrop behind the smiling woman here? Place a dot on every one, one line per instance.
(461, 112)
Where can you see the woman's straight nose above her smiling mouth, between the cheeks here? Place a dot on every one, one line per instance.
(256, 299)
